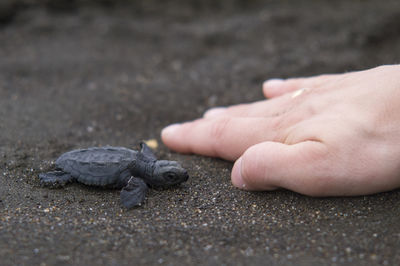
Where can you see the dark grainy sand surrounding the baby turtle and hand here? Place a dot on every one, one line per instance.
(81, 75)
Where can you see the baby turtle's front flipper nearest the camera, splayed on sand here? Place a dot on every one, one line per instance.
(133, 193)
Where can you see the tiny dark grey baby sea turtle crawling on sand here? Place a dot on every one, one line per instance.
(116, 167)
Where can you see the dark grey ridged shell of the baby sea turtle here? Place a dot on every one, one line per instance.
(101, 166)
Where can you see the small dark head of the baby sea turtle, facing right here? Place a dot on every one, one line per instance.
(167, 173)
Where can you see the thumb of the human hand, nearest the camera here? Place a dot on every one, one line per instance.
(300, 167)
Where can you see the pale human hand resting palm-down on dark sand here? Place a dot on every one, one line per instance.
(338, 137)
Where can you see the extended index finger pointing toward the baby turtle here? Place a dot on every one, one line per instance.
(225, 137)
